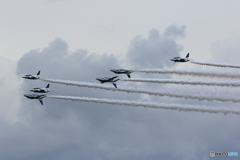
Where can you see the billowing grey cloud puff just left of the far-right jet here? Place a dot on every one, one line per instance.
(156, 50)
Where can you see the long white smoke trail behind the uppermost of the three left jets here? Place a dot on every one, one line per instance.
(200, 96)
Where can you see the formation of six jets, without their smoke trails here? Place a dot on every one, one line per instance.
(112, 80)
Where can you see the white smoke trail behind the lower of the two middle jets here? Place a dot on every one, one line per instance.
(183, 82)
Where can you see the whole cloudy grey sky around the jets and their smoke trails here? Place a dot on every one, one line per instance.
(82, 40)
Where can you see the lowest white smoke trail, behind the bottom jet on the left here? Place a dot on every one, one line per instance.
(178, 107)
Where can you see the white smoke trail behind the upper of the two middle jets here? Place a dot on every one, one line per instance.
(193, 73)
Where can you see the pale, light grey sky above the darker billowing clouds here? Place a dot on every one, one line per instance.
(109, 26)
